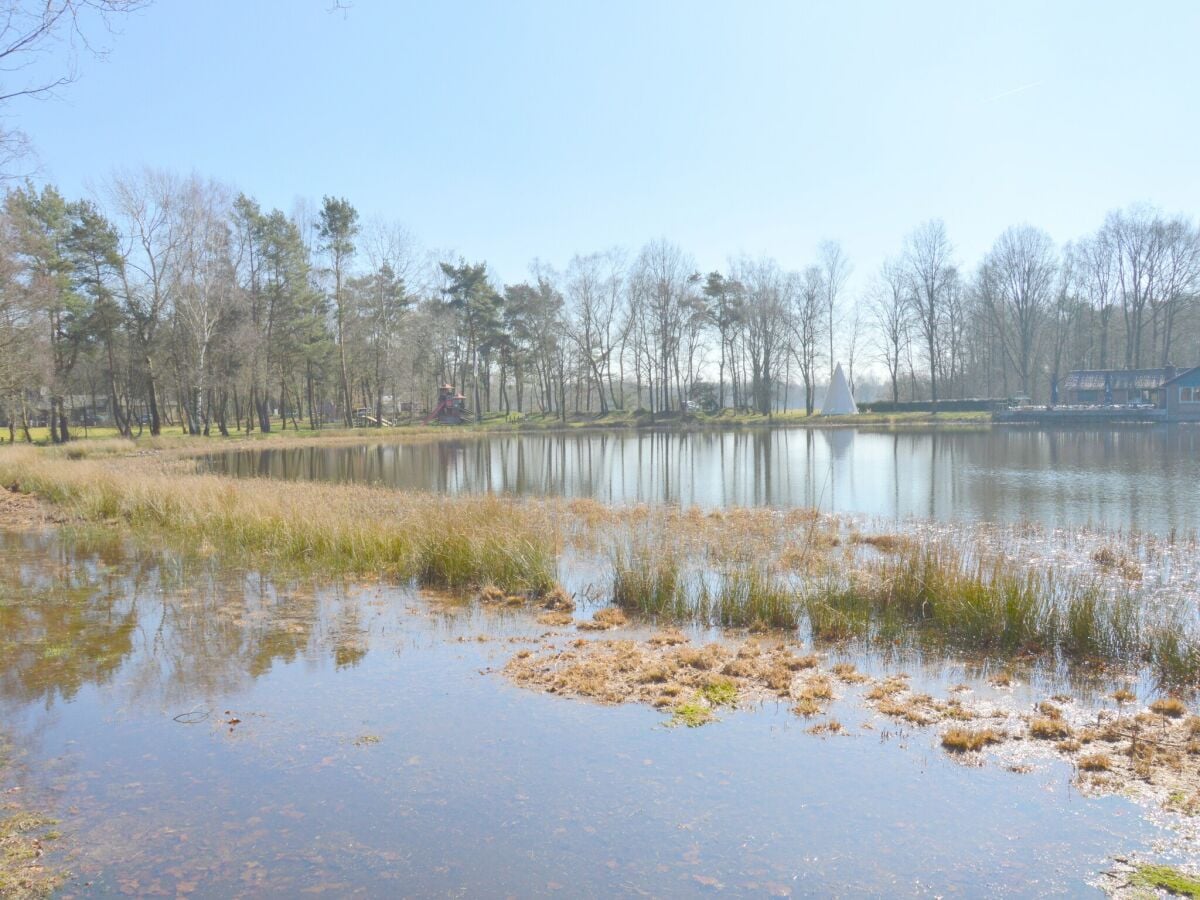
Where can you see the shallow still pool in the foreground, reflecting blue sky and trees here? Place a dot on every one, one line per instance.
(380, 753)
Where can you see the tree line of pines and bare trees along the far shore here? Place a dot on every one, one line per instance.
(172, 302)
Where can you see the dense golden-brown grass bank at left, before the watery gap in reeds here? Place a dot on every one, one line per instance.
(457, 543)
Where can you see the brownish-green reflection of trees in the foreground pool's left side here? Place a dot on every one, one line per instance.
(161, 628)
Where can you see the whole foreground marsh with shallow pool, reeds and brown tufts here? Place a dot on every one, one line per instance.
(385, 677)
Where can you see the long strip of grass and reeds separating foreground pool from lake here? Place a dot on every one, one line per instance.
(758, 569)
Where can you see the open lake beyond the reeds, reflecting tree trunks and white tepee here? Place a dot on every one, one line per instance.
(1145, 479)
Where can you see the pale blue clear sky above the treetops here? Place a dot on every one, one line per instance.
(508, 131)
